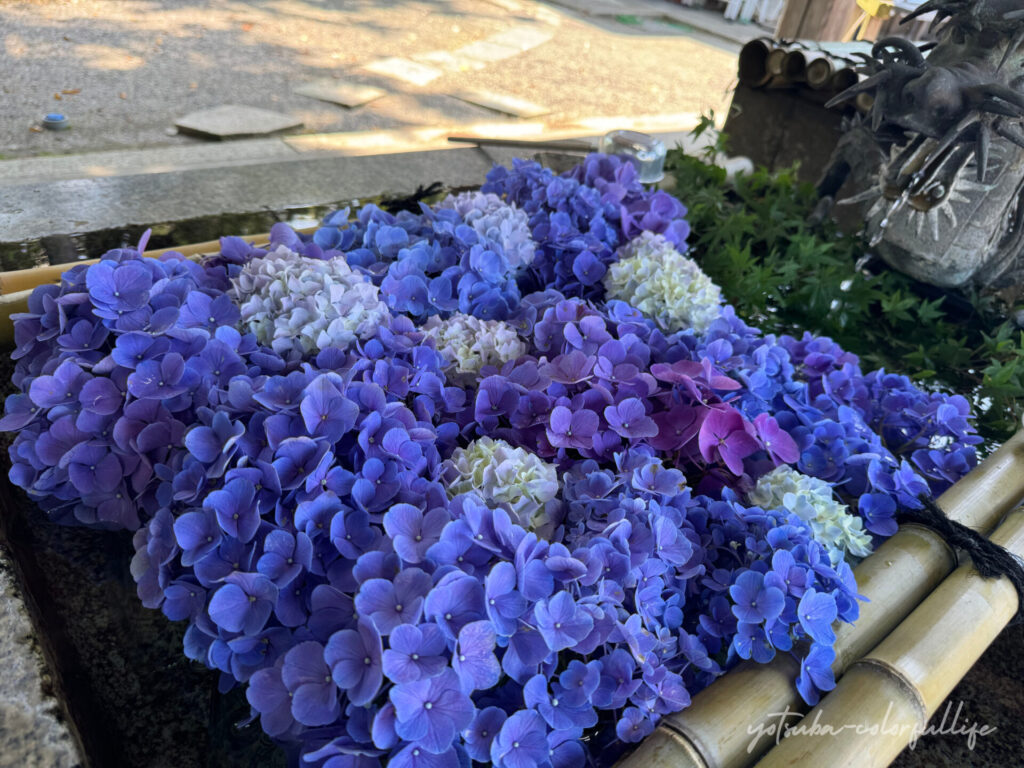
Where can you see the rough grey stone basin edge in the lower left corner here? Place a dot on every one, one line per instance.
(33, 733)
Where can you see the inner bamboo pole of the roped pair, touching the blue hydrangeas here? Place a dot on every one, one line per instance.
(897, 578)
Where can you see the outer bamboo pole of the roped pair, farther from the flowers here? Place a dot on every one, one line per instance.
(902, 685)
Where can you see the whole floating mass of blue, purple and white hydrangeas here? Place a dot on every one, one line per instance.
(504, 481)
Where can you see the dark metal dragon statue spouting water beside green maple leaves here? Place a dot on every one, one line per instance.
(946, 122)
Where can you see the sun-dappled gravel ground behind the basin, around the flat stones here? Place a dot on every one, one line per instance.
(125, 71)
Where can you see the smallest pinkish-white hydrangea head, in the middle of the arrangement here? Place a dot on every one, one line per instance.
(471, 344)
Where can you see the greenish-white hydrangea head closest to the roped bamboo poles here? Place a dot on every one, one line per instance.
(813, 500)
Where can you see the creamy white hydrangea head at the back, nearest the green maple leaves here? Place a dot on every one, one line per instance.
(654, 278)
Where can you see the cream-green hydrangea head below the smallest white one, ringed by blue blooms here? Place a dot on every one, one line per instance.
(514, 478)
